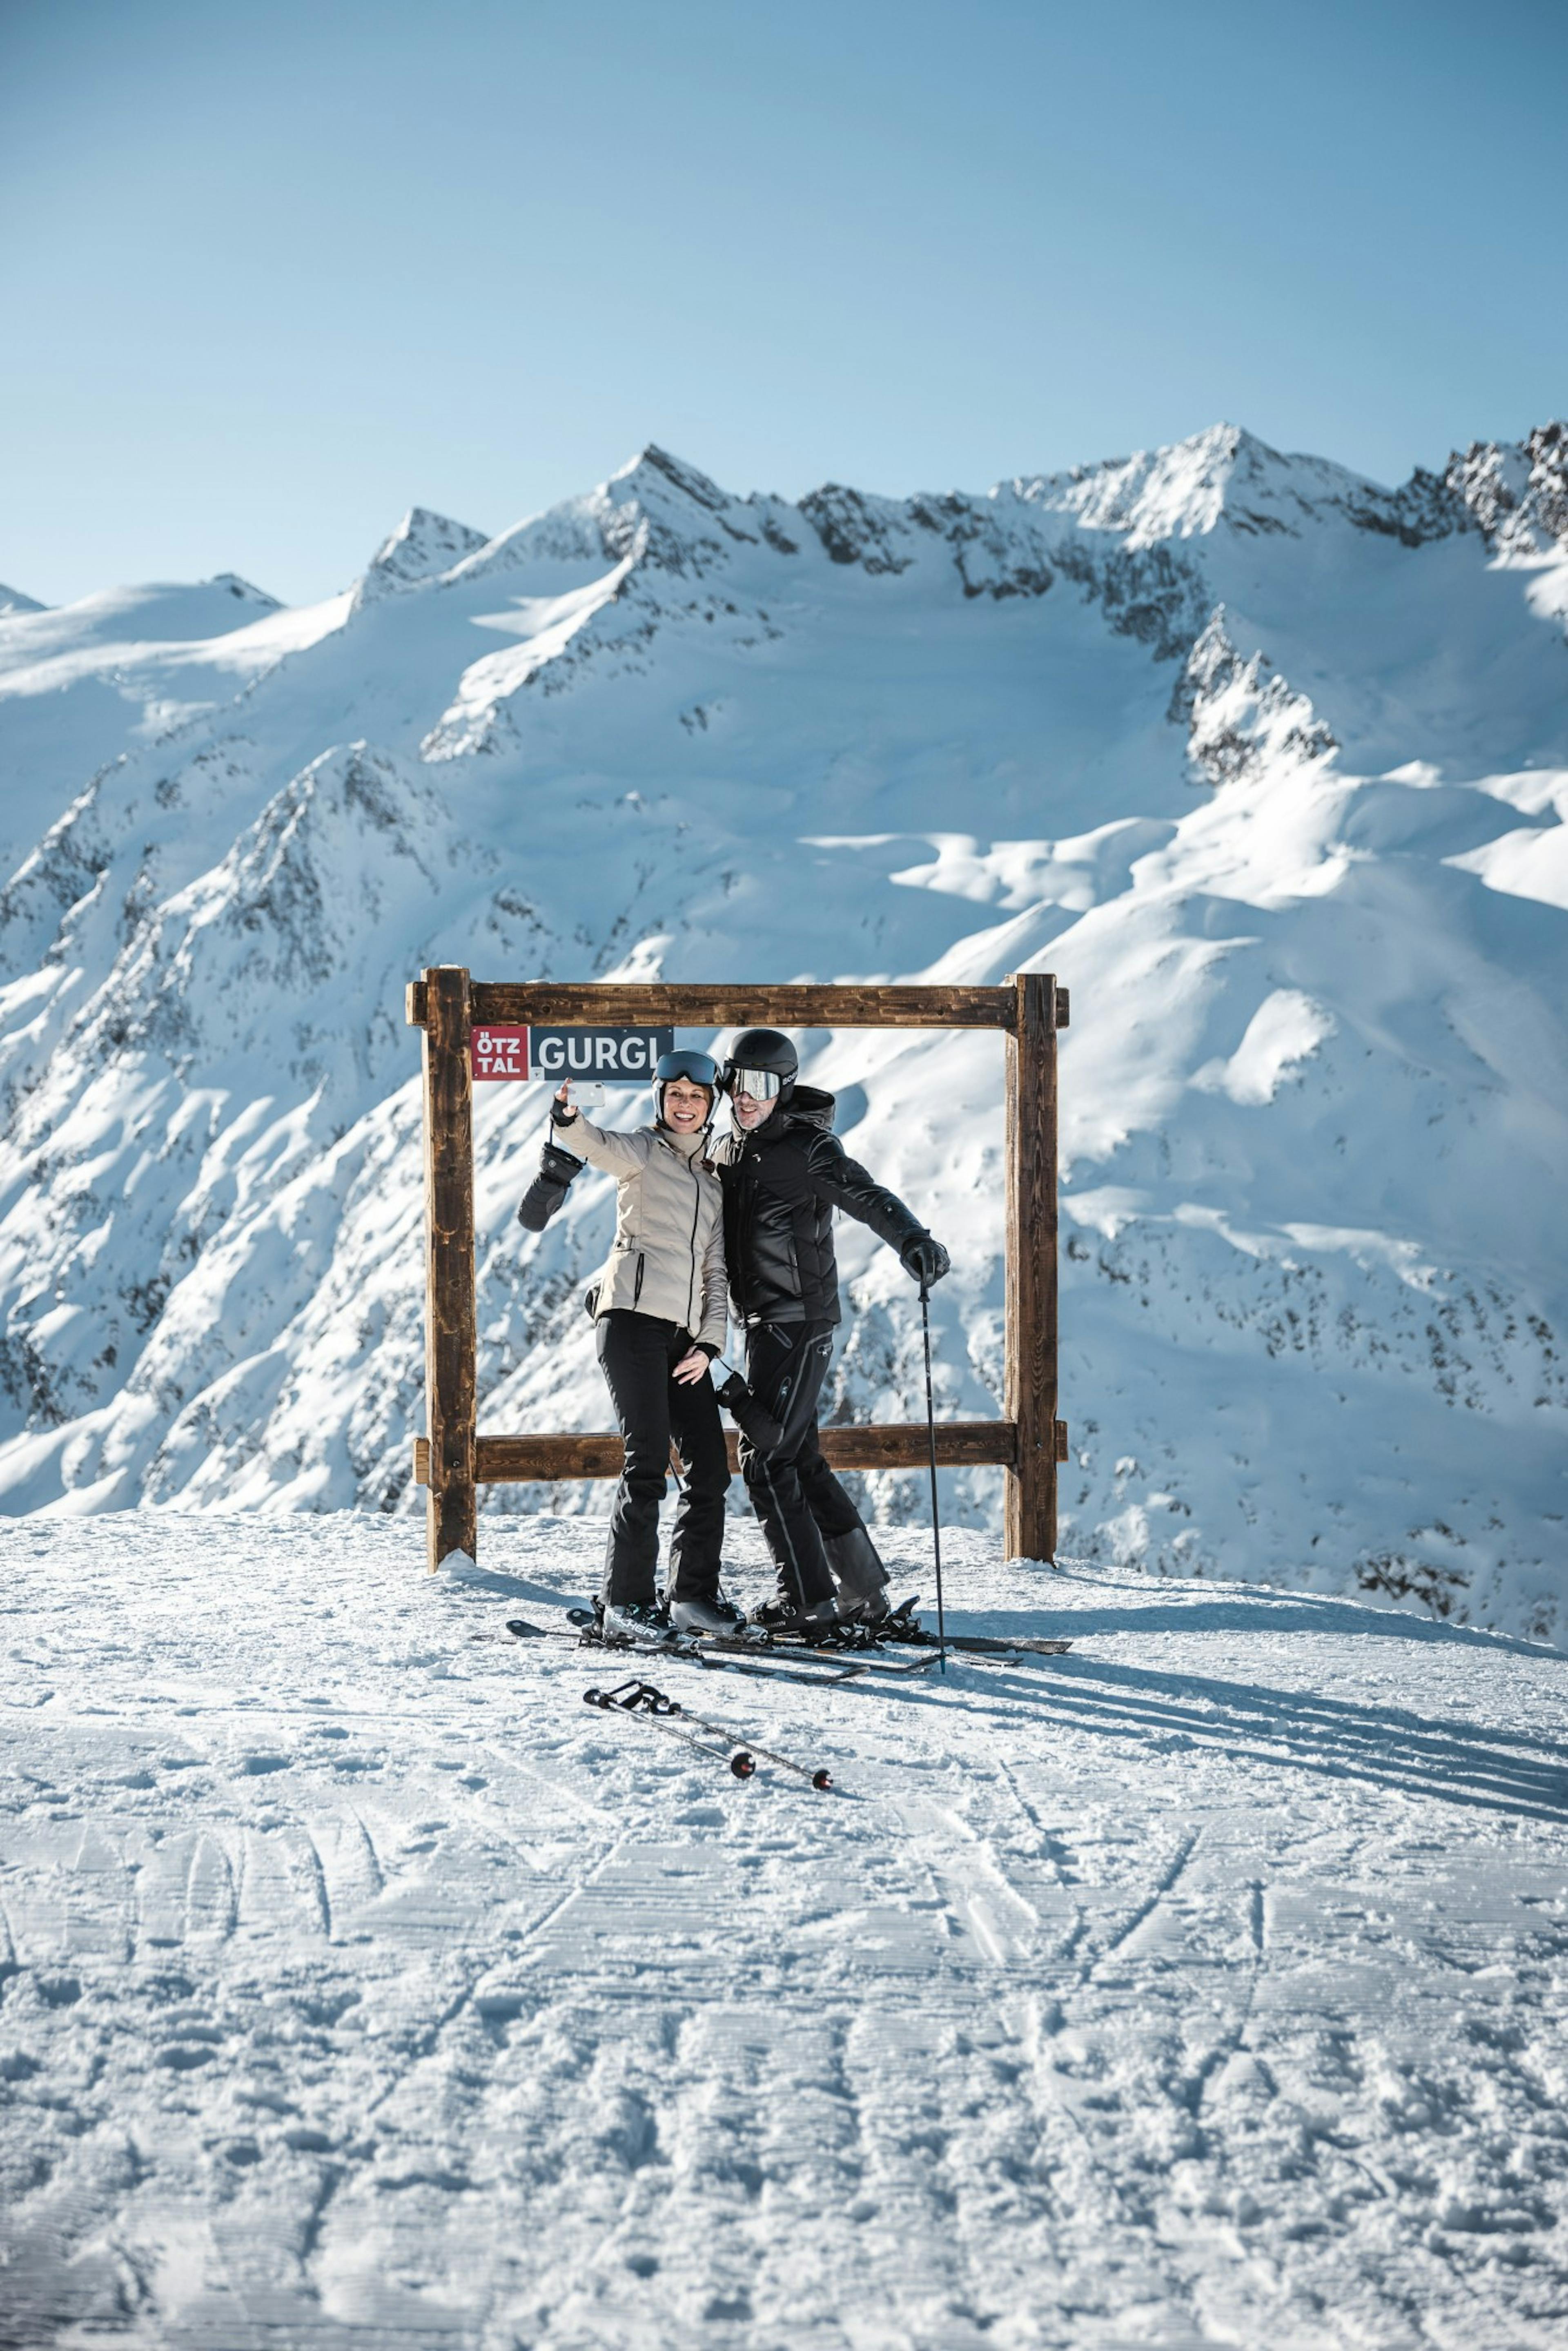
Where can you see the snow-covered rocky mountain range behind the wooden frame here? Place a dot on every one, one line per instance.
(1268, 763)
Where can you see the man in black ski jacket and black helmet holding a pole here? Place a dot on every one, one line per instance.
(784, 1174)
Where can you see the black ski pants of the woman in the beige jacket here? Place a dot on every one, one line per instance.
(638, 1353)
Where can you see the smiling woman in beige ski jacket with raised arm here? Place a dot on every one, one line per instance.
(662, 1315)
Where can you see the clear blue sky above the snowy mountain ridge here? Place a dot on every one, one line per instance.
(276, 272)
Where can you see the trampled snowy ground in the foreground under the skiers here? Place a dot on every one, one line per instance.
(363, 1988)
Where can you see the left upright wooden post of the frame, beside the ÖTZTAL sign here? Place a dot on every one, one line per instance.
(450, 1278)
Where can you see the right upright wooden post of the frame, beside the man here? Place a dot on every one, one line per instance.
(1031, 1268)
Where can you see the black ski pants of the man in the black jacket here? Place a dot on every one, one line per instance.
(793, 1489)
